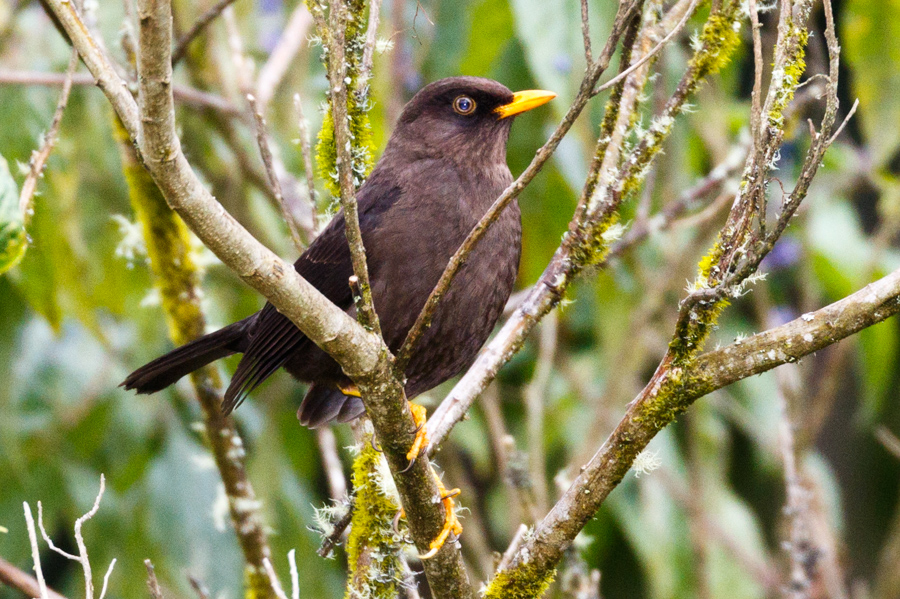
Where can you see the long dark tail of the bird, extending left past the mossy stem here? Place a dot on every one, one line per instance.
(165, 370)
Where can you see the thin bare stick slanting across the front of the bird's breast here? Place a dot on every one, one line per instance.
(423, 321)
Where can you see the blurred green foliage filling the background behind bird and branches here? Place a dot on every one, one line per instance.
(79, 312)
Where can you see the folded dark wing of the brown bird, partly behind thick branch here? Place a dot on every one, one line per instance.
(327, 266)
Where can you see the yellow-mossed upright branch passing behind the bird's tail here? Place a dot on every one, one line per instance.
(177, 278)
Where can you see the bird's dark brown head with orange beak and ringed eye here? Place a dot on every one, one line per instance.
(462, 118)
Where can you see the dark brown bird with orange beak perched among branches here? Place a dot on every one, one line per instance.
(442, 168)
